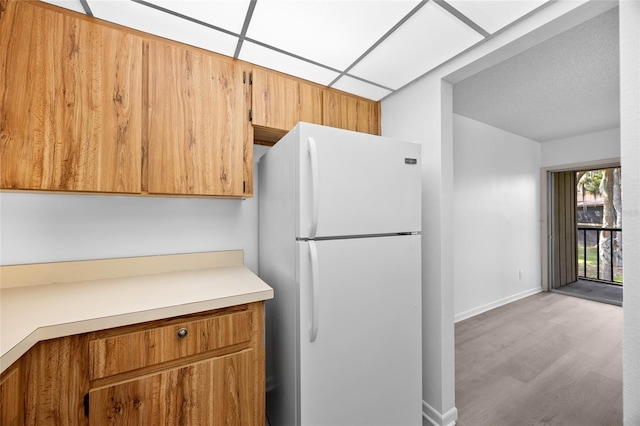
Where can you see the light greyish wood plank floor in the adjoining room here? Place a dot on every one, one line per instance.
(548, 359)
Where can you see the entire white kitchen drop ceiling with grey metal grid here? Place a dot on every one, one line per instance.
(366, 47)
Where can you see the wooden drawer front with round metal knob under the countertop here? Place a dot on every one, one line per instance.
(130, 351)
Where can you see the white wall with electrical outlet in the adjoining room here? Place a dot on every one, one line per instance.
(496, 221)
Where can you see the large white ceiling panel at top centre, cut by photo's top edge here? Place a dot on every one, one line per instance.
(334, 33)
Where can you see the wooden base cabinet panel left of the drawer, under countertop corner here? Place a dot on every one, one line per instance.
(56, 381)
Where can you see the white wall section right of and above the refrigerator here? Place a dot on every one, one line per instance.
(414, 116)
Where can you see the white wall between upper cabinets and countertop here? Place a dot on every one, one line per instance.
(59, 227)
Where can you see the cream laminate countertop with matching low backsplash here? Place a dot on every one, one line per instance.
(30, 313)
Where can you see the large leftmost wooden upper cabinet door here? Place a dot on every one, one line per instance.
(70, 102)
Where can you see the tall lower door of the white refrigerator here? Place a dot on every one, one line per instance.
(360, 331)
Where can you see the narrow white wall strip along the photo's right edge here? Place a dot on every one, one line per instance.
(630, 159)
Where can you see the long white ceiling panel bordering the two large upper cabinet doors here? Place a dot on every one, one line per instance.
(147, 19)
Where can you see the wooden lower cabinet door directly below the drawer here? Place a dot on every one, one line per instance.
(218, 391)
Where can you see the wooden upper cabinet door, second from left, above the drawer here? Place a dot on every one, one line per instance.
(196, 123)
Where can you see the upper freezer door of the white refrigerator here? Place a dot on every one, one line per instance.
(356, 184)
